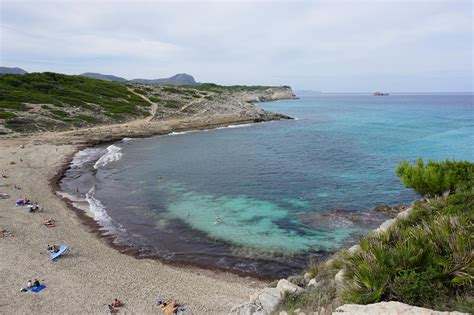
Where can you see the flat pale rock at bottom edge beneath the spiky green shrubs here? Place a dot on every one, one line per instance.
(388, 308)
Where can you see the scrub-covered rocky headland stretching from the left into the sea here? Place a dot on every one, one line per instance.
(89, 110)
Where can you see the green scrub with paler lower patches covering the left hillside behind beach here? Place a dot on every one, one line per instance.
(78, 98)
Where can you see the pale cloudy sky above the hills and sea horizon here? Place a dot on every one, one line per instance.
(331, 46)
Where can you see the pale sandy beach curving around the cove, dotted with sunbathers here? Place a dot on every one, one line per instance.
(93, 273)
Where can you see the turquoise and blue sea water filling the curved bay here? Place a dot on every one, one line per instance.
(264, 198)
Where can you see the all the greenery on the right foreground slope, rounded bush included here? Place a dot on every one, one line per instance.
(425, 259)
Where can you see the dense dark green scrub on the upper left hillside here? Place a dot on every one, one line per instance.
(112, 98)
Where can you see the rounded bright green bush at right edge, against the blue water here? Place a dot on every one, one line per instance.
(435, 178)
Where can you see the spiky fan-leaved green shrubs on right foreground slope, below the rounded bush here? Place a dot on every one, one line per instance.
(424, 260)
